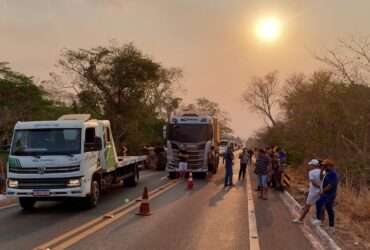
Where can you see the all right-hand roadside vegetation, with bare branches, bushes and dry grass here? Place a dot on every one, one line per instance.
(325, 115)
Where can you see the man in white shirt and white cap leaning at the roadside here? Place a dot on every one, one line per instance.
(314, 189)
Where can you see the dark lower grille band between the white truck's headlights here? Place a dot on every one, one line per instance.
(52, 183)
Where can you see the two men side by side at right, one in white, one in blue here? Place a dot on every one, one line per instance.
(322, 192)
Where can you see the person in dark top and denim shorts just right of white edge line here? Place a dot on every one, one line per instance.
(262, 168)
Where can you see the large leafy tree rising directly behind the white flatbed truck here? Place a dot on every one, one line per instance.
(123, 85)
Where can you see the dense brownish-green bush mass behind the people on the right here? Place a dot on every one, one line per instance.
(325, 118)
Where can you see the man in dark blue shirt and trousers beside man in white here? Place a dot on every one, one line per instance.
(328, 194)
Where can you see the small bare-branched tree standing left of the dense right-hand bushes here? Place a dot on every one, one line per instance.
(262, 94)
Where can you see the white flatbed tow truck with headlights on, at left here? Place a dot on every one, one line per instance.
(72, 157)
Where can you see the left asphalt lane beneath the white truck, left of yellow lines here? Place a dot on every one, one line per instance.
(25, 230)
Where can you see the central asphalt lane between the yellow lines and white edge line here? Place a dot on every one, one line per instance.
(208, 217)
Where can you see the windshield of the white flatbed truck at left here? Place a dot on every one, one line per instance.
(37, 142)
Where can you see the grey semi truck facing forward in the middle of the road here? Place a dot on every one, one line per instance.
(199, 137)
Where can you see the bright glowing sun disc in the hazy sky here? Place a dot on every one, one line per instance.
(268, 29)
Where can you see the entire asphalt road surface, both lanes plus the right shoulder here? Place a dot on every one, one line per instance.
(207, 217)
